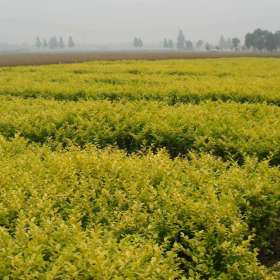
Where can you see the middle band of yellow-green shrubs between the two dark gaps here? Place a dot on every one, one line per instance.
(227, 130)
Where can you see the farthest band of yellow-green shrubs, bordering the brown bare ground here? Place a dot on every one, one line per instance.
(239, 80)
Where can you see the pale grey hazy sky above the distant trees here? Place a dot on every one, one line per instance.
(111, 21)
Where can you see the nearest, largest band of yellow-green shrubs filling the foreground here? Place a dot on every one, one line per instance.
(92, 214)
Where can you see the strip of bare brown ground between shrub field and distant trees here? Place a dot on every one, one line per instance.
(40, 58)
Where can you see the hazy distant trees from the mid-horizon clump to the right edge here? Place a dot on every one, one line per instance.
(259, 40)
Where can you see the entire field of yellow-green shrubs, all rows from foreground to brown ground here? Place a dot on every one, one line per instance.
(141, 170)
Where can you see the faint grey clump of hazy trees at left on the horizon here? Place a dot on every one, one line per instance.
(54, 43)
